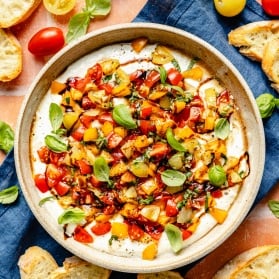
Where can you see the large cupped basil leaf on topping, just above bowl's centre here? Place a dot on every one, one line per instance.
(122, 115)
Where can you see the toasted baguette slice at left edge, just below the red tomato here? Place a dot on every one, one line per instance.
(10, 56)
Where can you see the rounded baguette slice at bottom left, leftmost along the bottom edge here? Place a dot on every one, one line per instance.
(36, 263)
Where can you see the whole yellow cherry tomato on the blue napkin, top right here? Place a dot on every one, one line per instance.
(229, 8)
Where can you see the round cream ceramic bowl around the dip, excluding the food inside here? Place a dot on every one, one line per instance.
(195, 47)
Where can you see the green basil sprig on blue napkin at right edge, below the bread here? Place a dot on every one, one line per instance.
(266, 104)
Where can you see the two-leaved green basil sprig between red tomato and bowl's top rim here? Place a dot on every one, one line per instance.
(79, 23)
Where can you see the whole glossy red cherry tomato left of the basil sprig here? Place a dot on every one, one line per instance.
(46, 41)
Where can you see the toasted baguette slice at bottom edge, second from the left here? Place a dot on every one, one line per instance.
(74, 268)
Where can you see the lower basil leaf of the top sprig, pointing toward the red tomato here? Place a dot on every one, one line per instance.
(78, 26)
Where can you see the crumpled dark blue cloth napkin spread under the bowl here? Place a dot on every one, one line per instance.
(18, 227)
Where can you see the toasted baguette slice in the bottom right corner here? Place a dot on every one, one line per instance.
(258, 262)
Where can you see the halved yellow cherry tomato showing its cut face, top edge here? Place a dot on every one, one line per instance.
(59, 7)
